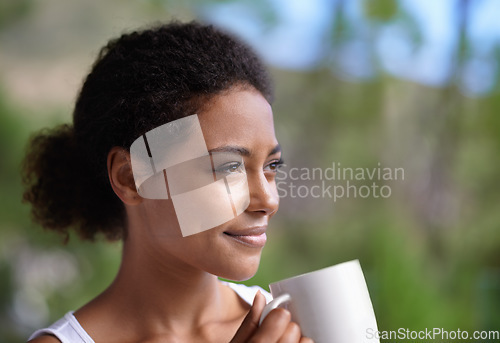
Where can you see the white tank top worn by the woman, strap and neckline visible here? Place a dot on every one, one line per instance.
(69, 330)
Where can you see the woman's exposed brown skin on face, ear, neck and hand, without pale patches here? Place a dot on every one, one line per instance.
(166, 289)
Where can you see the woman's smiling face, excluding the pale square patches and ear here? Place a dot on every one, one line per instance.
(239, 121)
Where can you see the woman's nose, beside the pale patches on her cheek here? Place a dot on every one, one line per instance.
(263, 194)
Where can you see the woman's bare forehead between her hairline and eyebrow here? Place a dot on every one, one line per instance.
(241, 117)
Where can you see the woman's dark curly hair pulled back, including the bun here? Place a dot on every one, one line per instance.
(139, 81)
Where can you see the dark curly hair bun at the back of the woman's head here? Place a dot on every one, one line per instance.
(58, 184)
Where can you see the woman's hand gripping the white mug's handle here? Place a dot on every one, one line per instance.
(277, 327)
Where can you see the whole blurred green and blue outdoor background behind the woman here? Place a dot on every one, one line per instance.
(392, 83)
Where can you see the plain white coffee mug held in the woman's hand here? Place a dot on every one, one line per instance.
(331, 305)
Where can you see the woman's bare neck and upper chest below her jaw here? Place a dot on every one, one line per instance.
(151, 298)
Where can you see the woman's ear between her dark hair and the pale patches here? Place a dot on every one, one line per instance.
(121, 176)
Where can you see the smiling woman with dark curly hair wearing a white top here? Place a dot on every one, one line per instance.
(86, 177)
